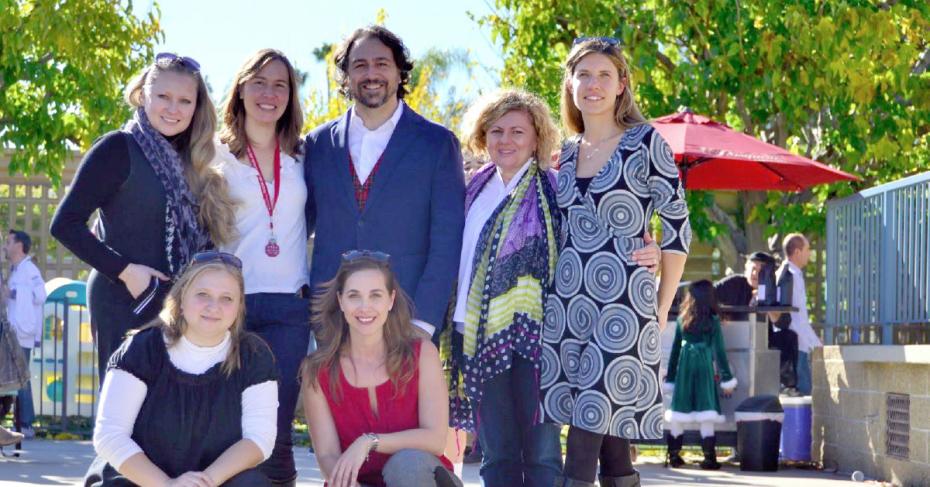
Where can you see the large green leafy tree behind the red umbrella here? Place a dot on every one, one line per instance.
(844, 82)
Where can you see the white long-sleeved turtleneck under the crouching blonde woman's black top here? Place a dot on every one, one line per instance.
(123, 394)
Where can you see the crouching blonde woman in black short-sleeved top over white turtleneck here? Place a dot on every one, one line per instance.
(191, 399)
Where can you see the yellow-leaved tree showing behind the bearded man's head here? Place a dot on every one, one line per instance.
(423, 88)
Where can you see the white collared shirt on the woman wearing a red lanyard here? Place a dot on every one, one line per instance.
(286, 272)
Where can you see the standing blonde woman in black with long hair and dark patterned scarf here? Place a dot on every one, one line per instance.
(158, 200)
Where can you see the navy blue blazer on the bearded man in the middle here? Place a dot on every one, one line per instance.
(415, 209)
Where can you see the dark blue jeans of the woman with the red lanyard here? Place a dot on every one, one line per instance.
(283, 321)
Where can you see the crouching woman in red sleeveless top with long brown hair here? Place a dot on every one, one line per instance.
(373, 391)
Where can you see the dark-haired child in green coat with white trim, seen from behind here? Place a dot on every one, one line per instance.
(691, 377)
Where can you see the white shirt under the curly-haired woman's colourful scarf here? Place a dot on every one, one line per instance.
(481, 209)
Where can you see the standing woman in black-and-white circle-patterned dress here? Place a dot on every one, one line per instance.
(601, 336)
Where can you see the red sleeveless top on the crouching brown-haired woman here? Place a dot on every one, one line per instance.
(396, 412)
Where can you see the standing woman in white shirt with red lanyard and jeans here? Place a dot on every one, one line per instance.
(259, 155)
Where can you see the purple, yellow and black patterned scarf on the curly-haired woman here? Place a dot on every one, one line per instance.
(513, 268)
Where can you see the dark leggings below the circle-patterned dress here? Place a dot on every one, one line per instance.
(585, 448)
